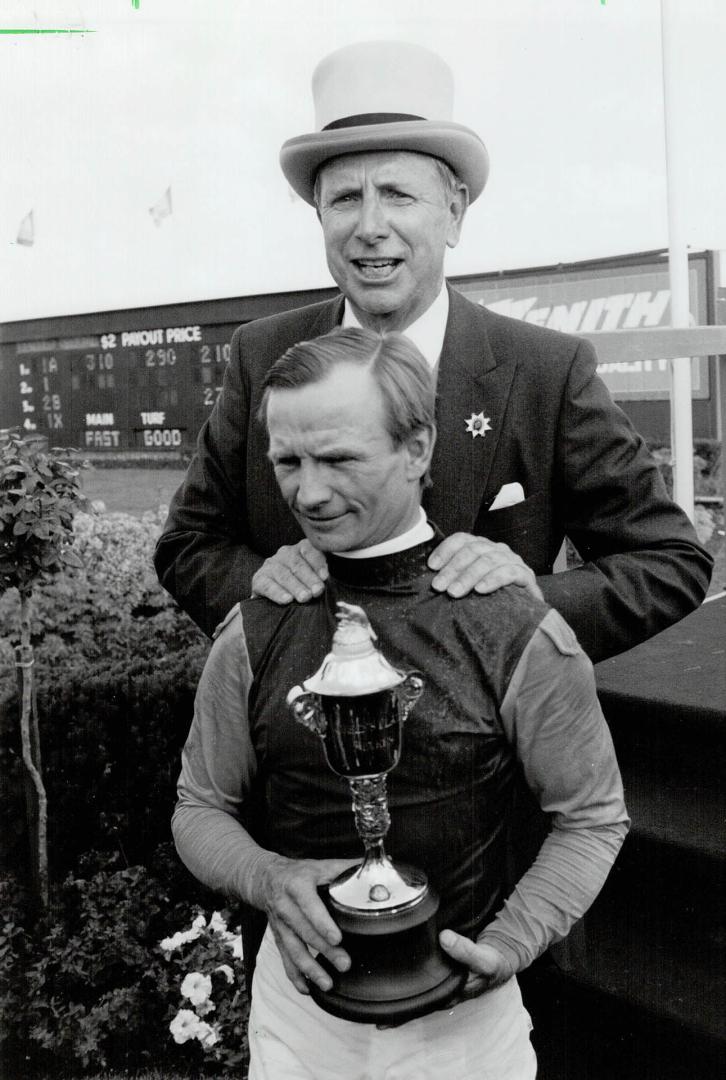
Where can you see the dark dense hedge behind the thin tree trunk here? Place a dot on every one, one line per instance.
(112, 736)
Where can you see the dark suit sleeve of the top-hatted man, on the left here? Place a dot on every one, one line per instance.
(204, 558)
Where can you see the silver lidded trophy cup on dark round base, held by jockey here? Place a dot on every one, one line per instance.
(358, 704)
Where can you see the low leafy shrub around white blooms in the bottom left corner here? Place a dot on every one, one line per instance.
(96, 989)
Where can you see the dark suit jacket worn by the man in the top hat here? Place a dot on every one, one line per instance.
(554, 428)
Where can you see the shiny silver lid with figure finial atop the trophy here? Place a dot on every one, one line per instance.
(355, 666)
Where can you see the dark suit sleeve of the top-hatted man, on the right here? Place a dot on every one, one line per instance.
(643, 566)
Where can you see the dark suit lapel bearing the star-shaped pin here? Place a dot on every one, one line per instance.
(472, 382)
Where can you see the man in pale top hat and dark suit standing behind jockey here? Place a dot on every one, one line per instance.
(531, 448)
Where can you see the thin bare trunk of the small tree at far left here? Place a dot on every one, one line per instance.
(31, 739)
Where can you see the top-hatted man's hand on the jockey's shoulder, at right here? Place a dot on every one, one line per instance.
(467, 563)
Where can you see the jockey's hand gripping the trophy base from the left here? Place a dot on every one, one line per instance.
(299, 919)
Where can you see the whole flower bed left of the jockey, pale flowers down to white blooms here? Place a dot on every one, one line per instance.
(131, 942)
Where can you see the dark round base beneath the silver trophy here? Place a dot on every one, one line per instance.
(398, 970)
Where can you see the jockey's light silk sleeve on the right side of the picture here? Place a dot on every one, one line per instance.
(553, 718)
